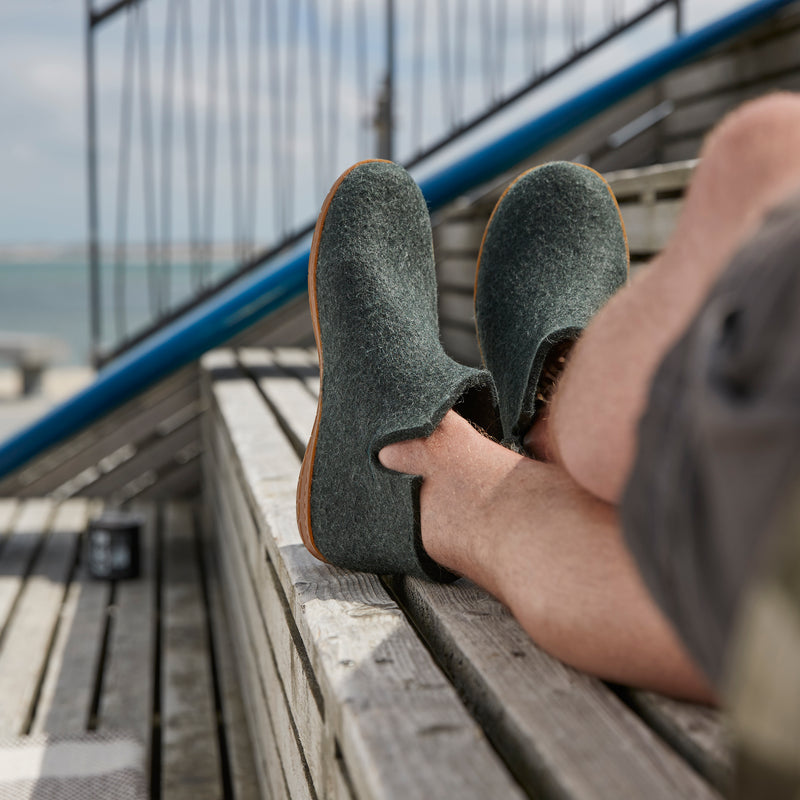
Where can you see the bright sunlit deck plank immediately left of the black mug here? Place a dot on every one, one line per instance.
(27, 640)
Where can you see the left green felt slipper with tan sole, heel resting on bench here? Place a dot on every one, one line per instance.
(384, 375)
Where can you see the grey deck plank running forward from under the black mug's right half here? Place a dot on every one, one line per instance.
(126, 702)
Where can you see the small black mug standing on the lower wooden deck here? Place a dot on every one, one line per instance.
(112, 545)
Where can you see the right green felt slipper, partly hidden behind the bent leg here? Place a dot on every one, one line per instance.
(553, 253)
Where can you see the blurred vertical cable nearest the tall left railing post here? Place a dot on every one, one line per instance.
(123, 174)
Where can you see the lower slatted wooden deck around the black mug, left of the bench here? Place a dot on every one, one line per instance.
(146, 659)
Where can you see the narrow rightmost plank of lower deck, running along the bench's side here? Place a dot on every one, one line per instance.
(241, 758)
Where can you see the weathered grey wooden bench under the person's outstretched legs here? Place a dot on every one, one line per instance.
(362, 687)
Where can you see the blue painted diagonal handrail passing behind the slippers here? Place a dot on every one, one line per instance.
(284, 278)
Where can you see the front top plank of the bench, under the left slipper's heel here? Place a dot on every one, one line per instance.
(387, 701)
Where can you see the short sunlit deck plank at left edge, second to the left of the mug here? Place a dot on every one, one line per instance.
(18, 551)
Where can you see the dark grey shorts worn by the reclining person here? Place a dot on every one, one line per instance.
(719, 443)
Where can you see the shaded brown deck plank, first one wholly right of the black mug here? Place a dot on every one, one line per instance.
(190, 766)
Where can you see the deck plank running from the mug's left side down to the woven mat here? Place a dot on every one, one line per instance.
(73, 667)
